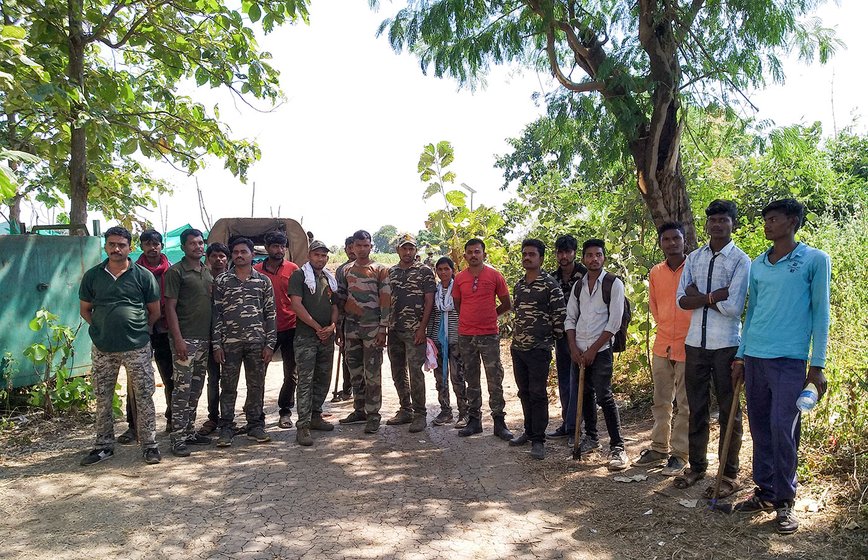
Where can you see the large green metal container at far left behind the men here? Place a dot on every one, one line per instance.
(43, 271)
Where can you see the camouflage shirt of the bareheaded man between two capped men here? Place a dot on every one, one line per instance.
(365, 292)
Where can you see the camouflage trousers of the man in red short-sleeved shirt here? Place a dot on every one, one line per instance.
(475, 351)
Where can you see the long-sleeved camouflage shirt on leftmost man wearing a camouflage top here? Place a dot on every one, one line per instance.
(243, 310)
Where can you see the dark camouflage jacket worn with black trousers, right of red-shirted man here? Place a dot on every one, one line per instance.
(539, 313)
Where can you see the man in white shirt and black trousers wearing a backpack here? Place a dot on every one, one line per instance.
(590, 326)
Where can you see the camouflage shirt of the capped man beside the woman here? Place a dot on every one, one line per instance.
(409, 287)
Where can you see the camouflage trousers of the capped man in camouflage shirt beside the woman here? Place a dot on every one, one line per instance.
(407, 358)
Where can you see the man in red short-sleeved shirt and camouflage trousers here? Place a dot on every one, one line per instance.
(474, 294)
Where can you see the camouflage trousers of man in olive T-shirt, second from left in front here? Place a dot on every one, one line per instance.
(189, 377)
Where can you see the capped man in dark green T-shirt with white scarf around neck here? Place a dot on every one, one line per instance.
(311, 289)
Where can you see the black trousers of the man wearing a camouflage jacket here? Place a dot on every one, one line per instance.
(531, 369)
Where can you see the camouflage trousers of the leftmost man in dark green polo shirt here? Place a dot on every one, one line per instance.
(140, 378)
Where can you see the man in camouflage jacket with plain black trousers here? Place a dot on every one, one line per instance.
(540, 311)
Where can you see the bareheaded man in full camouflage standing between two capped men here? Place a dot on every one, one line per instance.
(363, 289)
